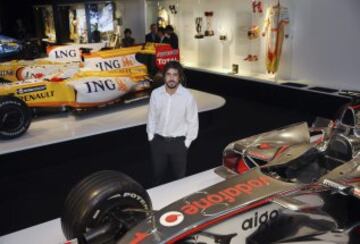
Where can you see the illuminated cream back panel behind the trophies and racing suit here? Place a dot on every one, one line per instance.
(233, 18)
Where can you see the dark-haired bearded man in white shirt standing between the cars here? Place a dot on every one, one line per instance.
(173, 124)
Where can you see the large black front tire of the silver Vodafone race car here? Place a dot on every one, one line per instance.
(100, 199)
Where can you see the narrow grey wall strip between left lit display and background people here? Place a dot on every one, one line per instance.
(133, 14)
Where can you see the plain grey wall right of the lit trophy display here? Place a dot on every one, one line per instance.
(326, 42)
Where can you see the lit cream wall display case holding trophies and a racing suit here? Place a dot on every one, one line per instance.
(249, 38)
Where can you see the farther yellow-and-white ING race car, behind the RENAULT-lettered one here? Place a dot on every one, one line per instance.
(70, 59)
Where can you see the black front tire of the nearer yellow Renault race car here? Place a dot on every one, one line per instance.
(15, 117)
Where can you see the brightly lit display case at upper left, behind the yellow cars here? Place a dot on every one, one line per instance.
(81, 22)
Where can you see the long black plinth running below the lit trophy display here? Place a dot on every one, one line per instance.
(304, 98)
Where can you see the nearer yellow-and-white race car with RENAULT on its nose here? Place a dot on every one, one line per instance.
(84, 90)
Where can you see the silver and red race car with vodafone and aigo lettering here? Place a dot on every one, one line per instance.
(291, 169)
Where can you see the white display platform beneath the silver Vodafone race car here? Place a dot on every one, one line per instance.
(50, 232)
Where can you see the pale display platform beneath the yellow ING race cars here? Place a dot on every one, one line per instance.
(69, 126)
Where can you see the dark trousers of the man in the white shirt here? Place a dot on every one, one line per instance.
(168, 153)
